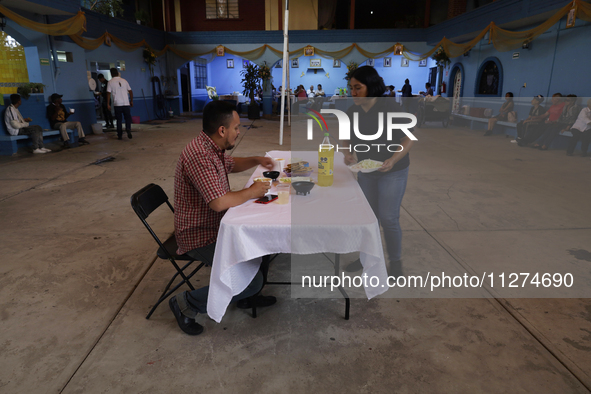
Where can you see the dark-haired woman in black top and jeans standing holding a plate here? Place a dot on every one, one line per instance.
(385, 187)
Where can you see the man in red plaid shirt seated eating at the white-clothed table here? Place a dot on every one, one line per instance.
(201, 197)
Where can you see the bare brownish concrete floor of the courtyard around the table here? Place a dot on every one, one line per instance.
(79, 273)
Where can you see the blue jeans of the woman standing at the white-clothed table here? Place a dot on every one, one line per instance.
(384, 193)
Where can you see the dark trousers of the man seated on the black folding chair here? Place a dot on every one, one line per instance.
(194, 302)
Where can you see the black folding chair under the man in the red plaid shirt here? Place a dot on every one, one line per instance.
(144, 202)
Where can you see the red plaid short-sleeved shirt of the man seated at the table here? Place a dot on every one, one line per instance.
(201, 176)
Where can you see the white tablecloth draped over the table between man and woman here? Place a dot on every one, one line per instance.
(336, 219)
